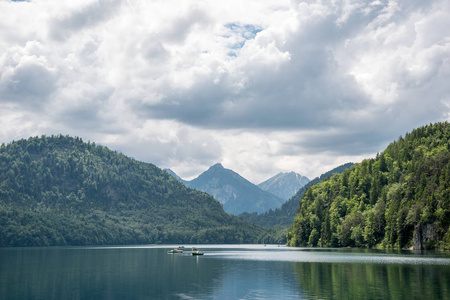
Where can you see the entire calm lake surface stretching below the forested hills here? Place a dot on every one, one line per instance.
(224, 272)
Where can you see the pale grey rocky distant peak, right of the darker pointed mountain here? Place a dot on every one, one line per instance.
(284, 185)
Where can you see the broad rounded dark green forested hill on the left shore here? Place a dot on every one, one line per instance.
(60, 190)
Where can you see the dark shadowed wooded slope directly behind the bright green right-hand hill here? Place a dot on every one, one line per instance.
(280, 220)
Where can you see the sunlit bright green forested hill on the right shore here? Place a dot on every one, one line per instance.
(399, 199)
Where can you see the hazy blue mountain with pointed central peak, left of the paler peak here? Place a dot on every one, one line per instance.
(236, 193)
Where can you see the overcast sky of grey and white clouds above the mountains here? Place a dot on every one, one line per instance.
(259, 86)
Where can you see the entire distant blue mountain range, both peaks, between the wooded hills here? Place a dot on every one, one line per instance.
(238, 195)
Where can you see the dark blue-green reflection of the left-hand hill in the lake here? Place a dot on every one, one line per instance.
(100, 274)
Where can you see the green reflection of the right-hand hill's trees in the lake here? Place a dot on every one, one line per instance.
(373, 281)
